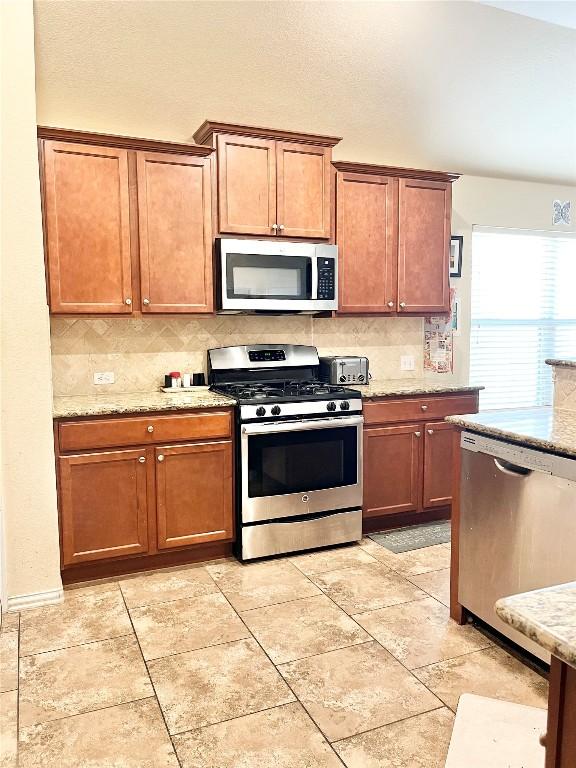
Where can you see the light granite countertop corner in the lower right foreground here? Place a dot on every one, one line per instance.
(546, 616)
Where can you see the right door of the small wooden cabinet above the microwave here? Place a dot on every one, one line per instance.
(303, 190)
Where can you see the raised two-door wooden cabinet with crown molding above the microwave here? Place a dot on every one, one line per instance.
(274, 183)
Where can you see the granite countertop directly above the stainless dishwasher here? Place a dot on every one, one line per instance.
(547, 429)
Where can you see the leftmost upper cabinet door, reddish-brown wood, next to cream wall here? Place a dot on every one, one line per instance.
(86, 216)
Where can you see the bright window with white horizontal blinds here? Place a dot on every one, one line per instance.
(523, 311)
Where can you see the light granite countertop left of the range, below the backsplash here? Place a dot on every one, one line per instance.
(137, 402)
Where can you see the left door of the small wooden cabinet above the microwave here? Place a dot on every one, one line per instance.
(246, 185)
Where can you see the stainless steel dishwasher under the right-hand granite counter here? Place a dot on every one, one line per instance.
(517, 526)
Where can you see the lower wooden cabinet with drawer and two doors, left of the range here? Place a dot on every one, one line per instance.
(121, 502)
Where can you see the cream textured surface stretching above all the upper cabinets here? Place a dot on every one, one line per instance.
(450, 85)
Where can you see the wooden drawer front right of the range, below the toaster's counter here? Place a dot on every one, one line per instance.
(389, 411)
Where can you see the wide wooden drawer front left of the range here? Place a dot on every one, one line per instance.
(107, 433)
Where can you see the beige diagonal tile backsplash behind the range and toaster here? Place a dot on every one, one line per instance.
(140, 351)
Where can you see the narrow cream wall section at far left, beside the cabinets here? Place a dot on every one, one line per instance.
(26, 447)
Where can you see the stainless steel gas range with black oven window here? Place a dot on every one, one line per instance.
(299, 449)
